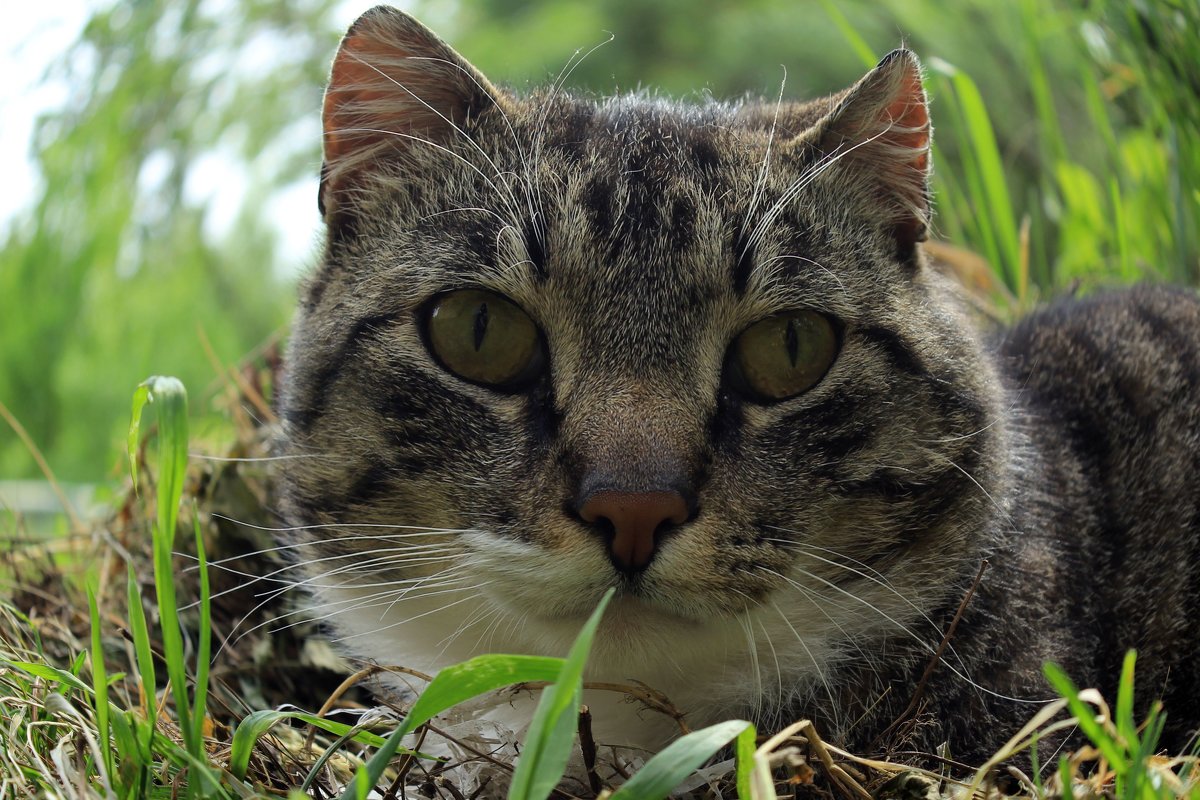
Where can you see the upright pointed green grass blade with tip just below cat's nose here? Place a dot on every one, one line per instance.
(549, 744)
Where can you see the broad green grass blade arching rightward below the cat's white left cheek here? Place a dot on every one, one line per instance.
(452, 687)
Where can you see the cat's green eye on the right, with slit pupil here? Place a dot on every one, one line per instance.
(784, 356)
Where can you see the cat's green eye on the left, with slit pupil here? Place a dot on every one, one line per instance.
(485, 339)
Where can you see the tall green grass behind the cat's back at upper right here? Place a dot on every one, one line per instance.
(1115, 190)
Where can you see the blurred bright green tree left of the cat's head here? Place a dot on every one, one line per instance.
(118, 264)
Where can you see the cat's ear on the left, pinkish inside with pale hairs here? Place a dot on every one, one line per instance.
(394, 88)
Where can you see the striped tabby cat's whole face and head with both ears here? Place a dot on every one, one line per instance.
(693, 353)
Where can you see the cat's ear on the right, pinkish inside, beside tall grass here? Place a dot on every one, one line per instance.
(880, 131)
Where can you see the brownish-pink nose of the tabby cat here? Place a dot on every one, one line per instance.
(635, 518)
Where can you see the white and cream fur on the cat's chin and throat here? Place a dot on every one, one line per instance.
(706, 672)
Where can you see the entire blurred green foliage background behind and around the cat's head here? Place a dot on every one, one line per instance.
(1069, 152)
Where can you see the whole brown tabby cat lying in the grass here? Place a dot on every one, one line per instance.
(695, 353)
